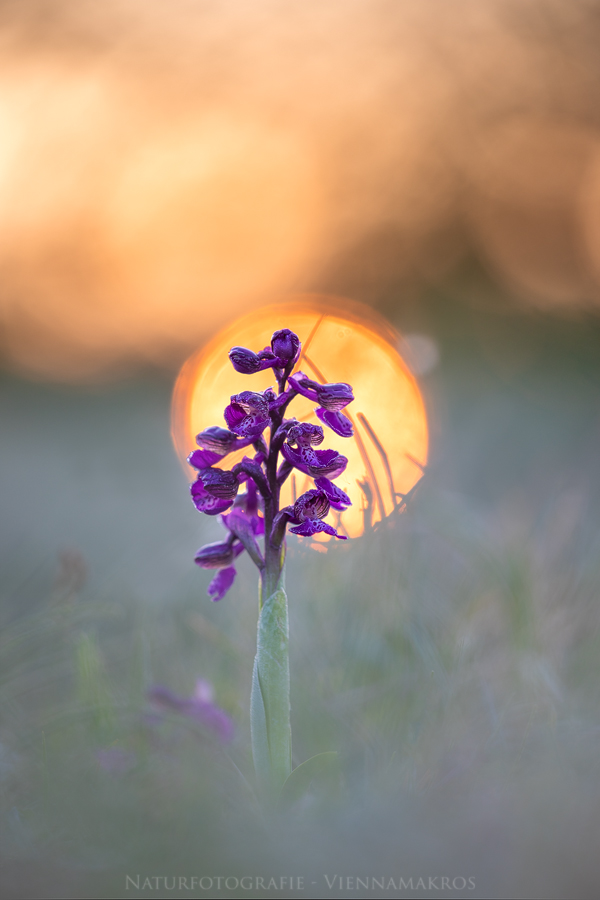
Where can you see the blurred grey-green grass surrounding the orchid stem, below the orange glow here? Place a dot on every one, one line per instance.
(451, 656)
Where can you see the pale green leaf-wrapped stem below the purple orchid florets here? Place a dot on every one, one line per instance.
(270, 698)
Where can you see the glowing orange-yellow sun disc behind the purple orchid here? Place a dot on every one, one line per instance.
(341, 341)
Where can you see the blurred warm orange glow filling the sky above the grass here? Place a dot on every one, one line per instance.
(166, 166)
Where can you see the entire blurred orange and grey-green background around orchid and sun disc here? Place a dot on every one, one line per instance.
(165, 168)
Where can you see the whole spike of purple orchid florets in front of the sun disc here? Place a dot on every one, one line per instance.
(254, 513)
